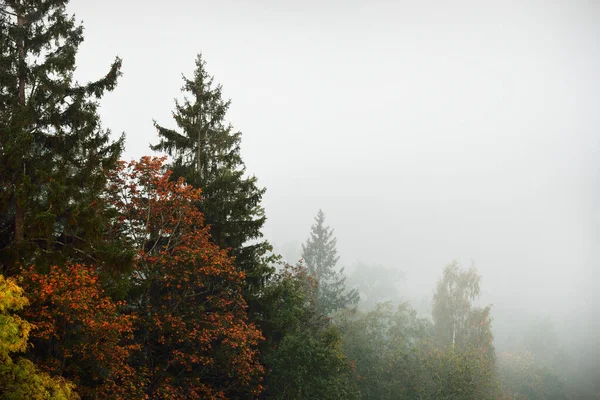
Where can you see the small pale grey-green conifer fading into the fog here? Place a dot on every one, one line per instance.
(320, 255)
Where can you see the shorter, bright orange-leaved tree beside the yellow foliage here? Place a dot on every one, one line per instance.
(79, 332)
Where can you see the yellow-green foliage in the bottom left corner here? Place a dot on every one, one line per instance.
(20, 379)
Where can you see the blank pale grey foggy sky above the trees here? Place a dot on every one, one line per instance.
(427, 131)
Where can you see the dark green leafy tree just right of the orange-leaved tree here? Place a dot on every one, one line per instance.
(303, 350)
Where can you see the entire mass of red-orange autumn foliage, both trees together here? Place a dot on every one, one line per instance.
(184, 333)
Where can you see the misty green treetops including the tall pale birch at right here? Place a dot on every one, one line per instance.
(400, 355)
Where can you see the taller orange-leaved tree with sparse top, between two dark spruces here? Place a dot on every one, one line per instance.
(192, 328)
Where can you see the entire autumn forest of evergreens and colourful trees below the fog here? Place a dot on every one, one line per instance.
(151, 279)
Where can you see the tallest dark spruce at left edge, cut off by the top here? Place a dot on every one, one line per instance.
(53, 152)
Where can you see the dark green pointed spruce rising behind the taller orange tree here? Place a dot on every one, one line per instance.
(206, 152)
